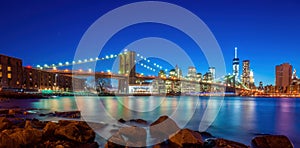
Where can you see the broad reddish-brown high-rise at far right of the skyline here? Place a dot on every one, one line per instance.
(283, 76)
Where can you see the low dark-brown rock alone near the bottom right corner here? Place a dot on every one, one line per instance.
(270, 141)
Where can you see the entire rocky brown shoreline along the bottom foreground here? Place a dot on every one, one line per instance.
(21, 132)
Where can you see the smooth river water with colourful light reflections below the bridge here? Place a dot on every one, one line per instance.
(238, 119)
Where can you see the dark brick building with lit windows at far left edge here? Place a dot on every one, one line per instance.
(10, 73)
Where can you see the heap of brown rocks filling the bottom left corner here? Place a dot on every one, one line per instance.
(35, 133)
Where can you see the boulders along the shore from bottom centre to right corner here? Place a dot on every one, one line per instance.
(167, 134)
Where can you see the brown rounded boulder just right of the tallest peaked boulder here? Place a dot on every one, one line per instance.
(186, 138)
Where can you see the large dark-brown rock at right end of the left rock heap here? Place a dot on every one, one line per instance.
(77, 131)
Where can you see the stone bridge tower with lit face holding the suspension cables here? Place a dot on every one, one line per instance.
(127, 67)
